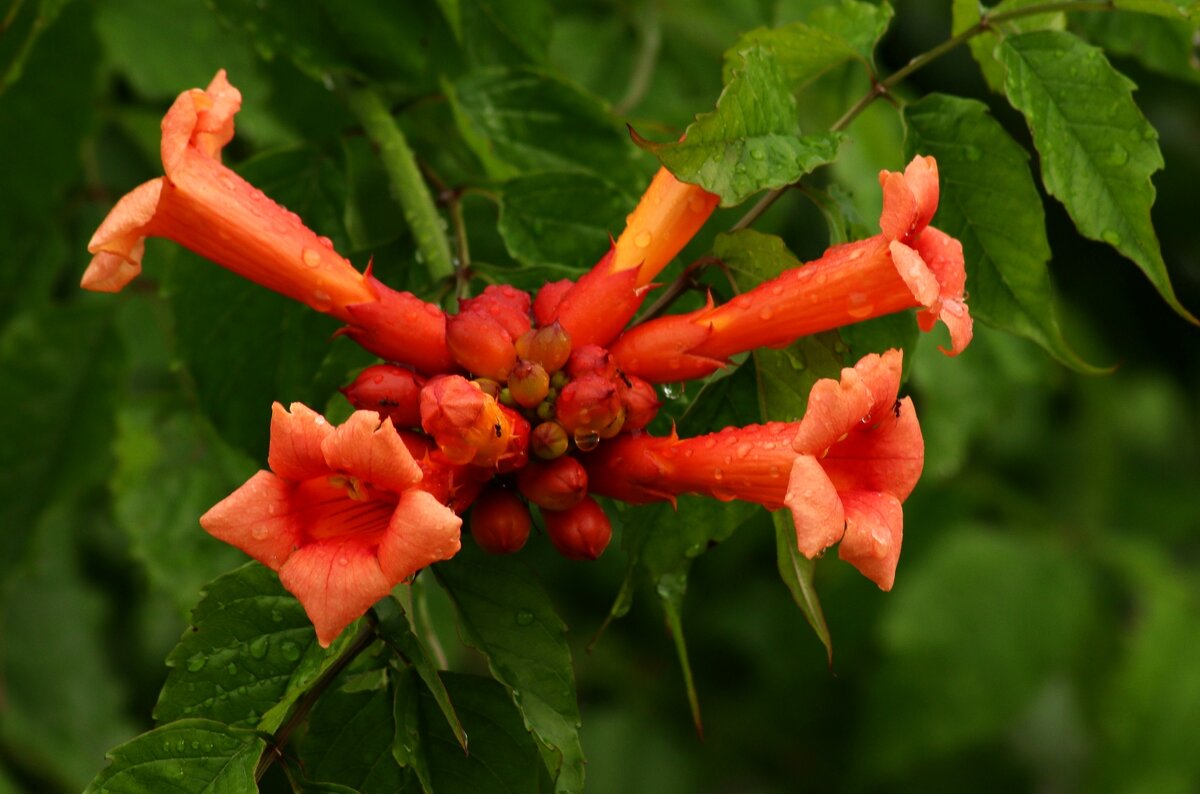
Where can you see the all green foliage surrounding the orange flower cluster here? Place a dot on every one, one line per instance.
(1041, 633)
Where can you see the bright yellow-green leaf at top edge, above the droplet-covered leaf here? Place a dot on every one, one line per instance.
(831, 37)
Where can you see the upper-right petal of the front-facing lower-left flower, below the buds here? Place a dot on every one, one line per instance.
(373, 453)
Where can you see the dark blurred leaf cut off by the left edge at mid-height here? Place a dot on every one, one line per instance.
(58, 369)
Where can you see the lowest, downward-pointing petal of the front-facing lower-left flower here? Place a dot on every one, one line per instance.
(337, 580)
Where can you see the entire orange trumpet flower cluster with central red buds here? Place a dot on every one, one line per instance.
(544, 400)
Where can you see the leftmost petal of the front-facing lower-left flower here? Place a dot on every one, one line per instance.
(257, 519)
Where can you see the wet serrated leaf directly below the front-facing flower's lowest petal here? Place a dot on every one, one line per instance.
(250, 654)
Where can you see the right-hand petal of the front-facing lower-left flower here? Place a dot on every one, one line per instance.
(422, 532)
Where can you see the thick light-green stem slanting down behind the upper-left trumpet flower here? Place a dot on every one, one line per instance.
(405, 176)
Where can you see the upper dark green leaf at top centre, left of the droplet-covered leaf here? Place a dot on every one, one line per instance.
(524, 122)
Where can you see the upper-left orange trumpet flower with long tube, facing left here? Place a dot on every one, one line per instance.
(213, 212)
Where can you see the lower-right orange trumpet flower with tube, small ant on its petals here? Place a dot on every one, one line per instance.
(843, 471)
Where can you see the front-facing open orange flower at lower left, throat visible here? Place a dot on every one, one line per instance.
(341, 515)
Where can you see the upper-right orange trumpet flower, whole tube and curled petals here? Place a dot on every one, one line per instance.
(909, 266)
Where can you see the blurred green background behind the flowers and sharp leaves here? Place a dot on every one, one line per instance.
(1045, 630)
